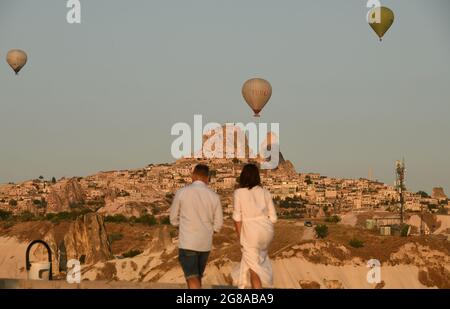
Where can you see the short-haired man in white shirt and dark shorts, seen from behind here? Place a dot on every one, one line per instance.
(197, 211)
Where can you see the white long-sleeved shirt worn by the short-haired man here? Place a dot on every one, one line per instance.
(197, 211)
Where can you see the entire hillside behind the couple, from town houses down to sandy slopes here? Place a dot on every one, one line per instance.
(116, 224)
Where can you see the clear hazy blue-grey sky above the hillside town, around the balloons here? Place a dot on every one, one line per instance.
(104, 94)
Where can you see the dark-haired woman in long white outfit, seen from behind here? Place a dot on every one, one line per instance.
(254, 215)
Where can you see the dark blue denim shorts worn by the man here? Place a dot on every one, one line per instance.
(193, 263)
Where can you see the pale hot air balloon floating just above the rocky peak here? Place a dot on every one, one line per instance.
(257, 93)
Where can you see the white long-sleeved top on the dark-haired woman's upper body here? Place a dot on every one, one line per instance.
(254, 203)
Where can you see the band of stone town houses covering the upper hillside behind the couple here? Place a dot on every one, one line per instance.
(150, 190)
